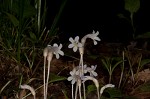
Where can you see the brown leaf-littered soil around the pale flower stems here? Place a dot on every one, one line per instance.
(10, 72)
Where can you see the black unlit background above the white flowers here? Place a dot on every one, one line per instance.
(80, 17)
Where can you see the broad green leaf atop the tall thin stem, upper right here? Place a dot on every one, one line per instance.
(132, 5)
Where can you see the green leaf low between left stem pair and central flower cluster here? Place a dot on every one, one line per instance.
(56, 78)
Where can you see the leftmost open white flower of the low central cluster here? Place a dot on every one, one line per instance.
(73, 78)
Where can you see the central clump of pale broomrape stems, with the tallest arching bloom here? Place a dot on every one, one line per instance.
(79, 73)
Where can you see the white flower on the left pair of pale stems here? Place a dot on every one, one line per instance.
(57, 50)
